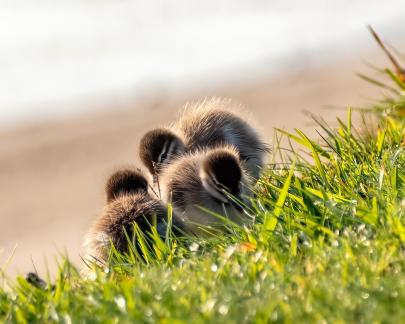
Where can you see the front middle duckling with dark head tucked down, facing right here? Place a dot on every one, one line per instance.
(204, 184)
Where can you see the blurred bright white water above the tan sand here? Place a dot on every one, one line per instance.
(55, 50)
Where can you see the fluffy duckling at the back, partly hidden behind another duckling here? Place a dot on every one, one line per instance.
(208, 123)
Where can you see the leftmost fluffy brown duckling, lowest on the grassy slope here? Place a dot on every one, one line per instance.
(128, 202)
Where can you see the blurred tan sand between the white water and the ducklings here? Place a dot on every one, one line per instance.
(53, 174)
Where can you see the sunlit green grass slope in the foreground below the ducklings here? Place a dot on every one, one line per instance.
(327, 244)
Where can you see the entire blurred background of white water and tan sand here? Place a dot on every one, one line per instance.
(82, 80)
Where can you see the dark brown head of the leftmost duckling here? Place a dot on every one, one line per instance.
(125, 182)
